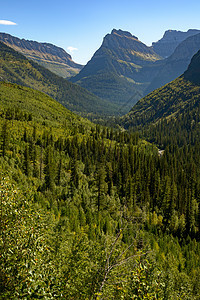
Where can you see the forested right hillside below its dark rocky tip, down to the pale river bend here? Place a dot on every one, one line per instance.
(168, 115)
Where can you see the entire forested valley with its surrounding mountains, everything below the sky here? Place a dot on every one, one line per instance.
(92, 211)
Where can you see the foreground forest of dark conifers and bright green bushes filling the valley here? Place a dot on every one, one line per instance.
(90, 212)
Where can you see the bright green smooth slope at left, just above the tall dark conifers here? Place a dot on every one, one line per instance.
(23, 101)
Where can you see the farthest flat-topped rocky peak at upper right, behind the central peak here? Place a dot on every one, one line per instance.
(170, 40)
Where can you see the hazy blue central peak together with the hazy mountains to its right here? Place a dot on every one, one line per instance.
(124, 69)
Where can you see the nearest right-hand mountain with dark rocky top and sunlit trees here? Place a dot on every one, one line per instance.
(177, 101)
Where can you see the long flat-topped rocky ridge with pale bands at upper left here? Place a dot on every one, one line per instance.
(49, 56)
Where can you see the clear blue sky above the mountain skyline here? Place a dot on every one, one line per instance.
(79, 26)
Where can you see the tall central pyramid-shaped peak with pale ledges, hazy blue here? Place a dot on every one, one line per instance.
(120, 70)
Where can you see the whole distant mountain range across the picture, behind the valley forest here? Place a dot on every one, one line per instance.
(122, 70)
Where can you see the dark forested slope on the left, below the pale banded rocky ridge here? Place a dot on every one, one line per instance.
(15, 68)
